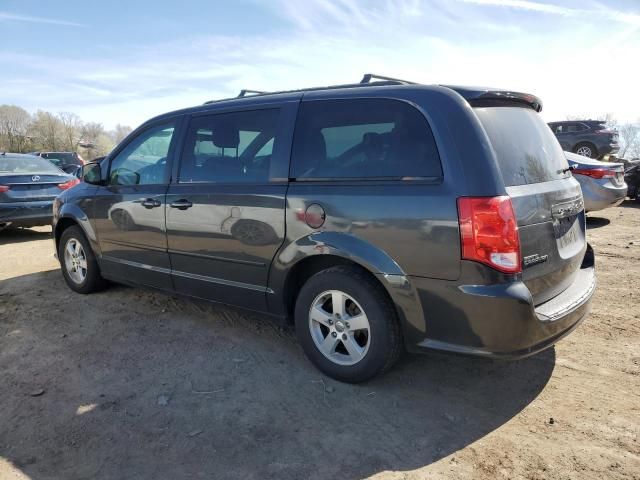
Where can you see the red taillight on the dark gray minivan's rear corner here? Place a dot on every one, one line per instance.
(489, 232)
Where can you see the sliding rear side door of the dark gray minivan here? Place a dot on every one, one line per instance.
(226, 208)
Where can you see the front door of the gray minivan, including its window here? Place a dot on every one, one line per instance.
(129, 210)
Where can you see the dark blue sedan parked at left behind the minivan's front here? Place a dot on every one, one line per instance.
(28, 186)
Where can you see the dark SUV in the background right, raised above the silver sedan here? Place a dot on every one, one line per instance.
(589, 138)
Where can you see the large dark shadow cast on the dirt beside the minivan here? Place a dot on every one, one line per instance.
(129, 383)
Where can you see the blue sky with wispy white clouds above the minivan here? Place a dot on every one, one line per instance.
(125, 61)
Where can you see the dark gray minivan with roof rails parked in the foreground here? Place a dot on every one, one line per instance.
(378, 217)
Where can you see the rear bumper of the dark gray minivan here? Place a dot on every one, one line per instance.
(500, 321)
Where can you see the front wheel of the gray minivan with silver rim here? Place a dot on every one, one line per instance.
(86, 277)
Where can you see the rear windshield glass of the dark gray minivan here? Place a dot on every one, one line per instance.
(526, 149)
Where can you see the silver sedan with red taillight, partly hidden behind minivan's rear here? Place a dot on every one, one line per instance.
(602, 183)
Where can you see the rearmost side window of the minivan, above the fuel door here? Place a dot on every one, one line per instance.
(363, 138)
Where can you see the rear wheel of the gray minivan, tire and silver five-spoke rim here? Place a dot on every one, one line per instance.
(353, 354)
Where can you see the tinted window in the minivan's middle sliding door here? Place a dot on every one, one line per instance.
(229, 147)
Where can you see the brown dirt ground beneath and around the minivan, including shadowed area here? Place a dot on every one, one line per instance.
(130, 383)
